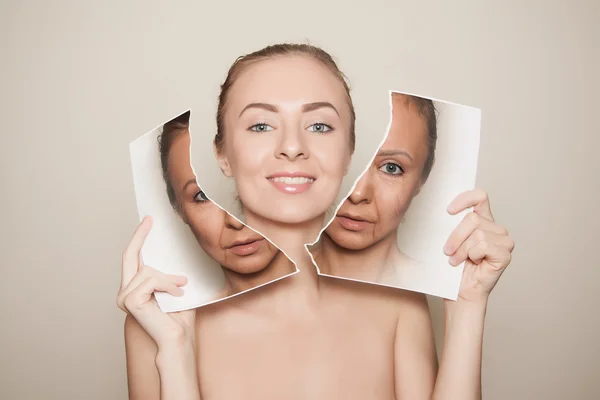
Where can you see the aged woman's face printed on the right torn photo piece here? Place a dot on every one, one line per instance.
(383, 194)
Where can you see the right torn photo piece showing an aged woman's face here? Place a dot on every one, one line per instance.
(392, 227)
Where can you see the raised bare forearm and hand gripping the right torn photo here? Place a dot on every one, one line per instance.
(485, 248)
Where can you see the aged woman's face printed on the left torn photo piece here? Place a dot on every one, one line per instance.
(226, 240)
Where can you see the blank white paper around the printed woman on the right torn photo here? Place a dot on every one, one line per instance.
(427, 225)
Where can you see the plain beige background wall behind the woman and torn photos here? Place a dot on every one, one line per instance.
(78, 82)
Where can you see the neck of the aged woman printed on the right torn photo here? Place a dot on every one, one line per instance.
(367, 264)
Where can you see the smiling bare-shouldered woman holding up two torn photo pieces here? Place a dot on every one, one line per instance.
(285, 128)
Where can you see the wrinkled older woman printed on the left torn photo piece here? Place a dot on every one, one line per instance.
(247, 259)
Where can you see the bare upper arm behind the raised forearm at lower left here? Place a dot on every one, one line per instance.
(142, 373)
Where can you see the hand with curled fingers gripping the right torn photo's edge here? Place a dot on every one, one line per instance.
(483, 245)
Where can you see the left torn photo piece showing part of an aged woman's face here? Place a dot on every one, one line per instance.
(191, 235)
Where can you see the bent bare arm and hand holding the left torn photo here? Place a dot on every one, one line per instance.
(159, 346)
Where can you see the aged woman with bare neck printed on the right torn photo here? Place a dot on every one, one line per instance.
(361, 242)
